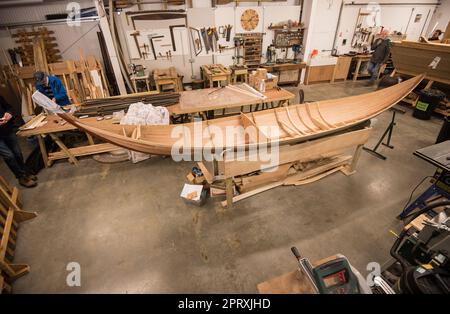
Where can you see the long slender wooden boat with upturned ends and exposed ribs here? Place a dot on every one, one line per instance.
(279, 126)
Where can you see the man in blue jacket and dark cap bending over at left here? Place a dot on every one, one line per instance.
(52, 87)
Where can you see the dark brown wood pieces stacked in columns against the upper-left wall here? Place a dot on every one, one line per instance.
(26, 38)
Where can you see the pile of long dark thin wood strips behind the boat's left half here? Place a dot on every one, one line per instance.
(105, 106)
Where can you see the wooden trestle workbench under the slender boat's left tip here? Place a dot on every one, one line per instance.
(55, 125)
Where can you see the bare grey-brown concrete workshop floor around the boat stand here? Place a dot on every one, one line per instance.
(127, 227)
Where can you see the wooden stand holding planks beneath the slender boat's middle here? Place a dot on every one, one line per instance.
(297, 165)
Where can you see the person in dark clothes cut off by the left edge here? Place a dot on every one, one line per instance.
(9, 147)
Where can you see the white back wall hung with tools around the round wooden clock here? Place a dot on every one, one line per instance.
(202, 15)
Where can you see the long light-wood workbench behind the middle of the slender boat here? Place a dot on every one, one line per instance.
(201, 100)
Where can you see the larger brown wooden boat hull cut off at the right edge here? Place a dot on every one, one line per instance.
(414, 58)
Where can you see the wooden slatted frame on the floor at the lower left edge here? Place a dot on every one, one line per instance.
(11, 215)
